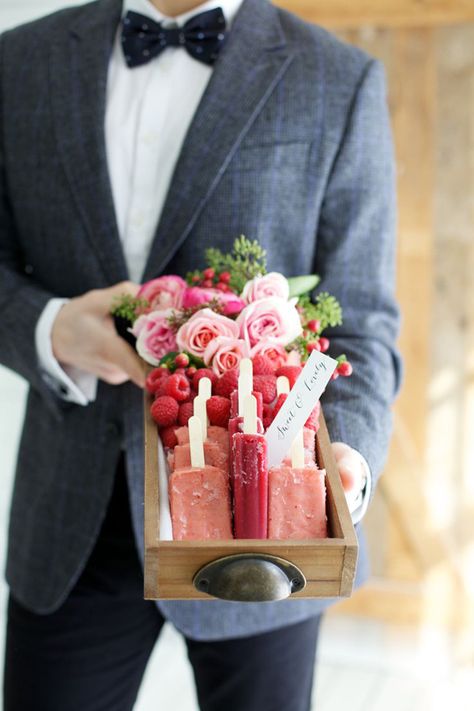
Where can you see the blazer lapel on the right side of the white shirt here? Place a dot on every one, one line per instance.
(251, 64)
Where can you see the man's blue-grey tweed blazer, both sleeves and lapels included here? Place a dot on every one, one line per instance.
(291, 145)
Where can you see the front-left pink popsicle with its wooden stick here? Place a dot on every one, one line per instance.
(199, 495)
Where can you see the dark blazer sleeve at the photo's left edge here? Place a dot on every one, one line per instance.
(21, 299)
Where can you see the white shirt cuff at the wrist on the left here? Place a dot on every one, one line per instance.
(69, 383)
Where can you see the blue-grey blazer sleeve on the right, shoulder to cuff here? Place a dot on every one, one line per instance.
(355, 257)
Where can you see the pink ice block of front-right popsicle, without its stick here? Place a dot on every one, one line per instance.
(296, 503)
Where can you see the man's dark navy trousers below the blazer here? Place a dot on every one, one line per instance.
(90, 655)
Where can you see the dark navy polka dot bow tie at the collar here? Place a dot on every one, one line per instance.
(202, 36)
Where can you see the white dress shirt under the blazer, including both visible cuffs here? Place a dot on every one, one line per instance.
(148, 112)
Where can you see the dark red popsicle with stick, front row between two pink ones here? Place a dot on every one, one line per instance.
(249, 454)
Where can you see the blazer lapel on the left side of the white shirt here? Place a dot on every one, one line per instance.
(78, 70)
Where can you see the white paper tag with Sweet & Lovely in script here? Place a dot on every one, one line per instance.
(298, 406)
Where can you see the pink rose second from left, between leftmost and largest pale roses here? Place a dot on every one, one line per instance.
(195, 335)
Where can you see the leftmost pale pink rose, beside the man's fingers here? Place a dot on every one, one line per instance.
(154, 336)
